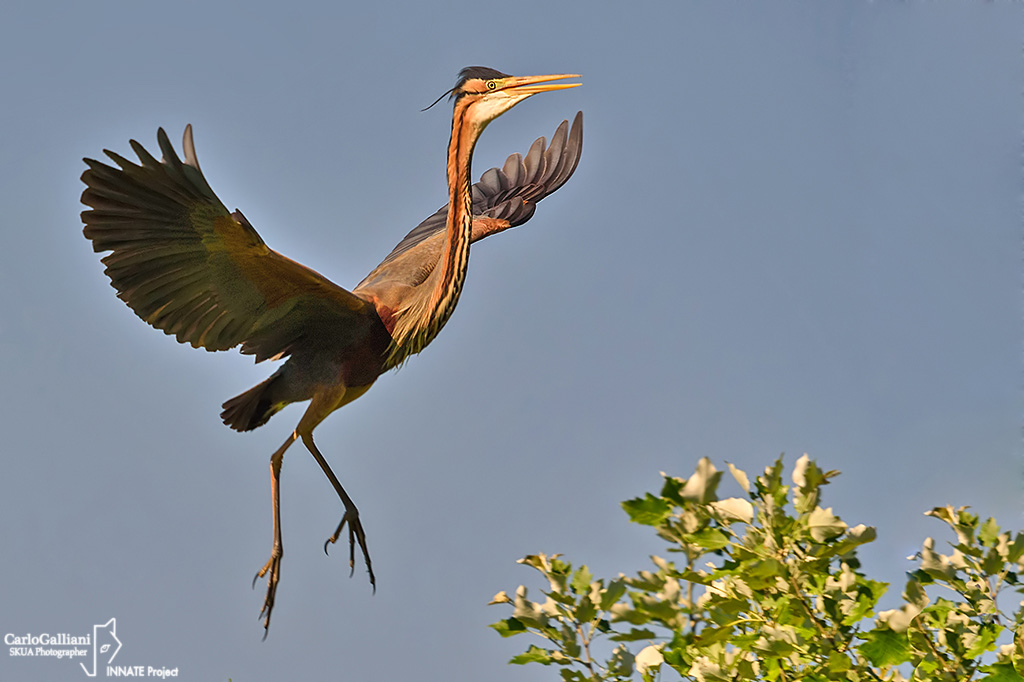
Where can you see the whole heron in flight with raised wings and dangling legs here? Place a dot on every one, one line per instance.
(188, 267)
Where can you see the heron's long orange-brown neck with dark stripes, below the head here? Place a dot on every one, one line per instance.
(433, 307)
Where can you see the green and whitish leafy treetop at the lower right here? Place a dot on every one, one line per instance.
(767, 586)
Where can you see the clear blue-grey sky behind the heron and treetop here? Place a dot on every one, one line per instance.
(796, 228)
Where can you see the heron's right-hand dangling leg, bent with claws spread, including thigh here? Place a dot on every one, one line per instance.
(322, 406)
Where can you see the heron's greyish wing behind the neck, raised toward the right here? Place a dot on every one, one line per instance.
(504, 198)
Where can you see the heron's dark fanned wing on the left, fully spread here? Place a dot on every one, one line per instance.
(189, 268)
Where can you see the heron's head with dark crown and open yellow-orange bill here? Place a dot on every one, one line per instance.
(486, 94)
